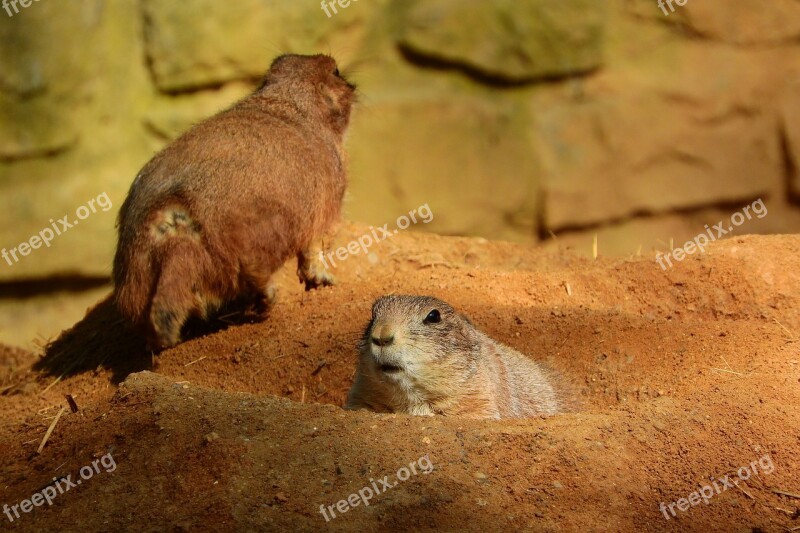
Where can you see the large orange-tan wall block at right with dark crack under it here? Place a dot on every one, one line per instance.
(679, 136)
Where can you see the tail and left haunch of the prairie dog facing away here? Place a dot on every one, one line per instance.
(156, 272)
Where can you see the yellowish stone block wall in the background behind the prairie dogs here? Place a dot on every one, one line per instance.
(511, 119)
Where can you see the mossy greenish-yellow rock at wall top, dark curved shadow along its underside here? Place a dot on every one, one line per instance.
(506, 40)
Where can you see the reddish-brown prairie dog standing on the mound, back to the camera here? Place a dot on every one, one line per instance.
(212, 216)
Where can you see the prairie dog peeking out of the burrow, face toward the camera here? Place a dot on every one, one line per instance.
(419, 356)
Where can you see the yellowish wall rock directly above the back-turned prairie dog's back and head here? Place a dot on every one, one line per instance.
(214, 42)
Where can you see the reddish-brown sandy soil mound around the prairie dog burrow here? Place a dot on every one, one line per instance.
(684, 376)
